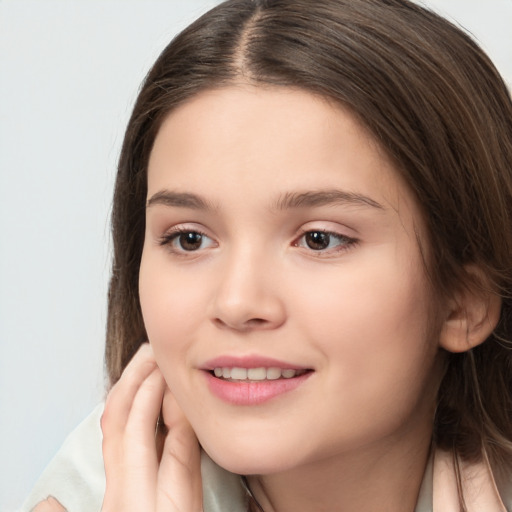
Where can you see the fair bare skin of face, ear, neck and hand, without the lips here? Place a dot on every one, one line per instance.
(359, 313)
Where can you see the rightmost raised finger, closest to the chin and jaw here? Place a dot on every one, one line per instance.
(179, 476)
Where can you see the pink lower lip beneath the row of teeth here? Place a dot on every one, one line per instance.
(252, 393)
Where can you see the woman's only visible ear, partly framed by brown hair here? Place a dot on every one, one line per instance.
(472, 315)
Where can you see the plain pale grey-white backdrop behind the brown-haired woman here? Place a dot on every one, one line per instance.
(69, 74)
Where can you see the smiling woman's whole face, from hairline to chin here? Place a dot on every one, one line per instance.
(281, 282)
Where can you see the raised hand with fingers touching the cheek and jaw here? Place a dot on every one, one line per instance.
(145, 471)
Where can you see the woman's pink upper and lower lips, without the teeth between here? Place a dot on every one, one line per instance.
(251, 393)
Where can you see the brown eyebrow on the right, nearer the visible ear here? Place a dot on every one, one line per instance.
(325, 198)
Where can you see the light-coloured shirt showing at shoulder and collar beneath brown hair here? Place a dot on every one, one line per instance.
(76, 477)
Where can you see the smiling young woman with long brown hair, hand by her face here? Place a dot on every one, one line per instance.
(313, 229)
